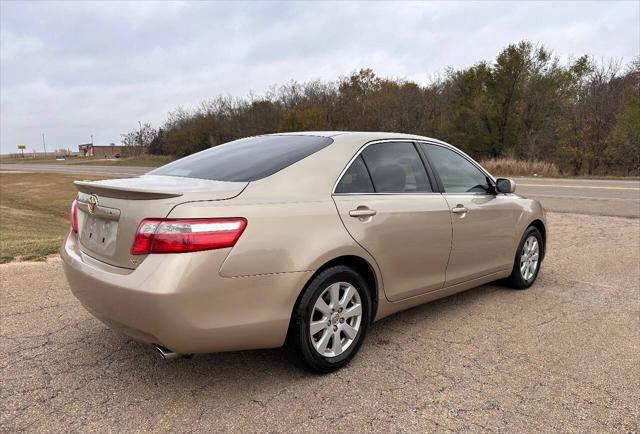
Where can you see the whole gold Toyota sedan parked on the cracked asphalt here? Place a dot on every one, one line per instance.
(300, 239)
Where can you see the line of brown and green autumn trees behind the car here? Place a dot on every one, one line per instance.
(582, 114)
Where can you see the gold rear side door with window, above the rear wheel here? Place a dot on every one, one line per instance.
(387, 204)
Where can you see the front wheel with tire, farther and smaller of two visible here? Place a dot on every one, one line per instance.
(523, 279)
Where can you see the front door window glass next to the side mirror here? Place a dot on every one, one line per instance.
(458, 175)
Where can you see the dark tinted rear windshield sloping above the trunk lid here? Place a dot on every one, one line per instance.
(247, 159)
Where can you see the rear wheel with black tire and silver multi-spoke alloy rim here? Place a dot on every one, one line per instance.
(334, 342)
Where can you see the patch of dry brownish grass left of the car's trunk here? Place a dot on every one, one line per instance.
(34, 214)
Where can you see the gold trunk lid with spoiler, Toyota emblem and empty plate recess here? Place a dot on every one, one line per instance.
(110, 211)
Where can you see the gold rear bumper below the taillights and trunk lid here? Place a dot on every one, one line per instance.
(181, 302)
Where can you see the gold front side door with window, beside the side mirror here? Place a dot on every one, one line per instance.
(483, 221)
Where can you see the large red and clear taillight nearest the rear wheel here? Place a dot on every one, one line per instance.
(189, 235)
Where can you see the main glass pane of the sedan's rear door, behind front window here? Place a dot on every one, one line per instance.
(396, 168)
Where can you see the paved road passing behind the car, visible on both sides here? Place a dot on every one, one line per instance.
(596, 197)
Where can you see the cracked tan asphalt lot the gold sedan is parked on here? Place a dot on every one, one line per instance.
(561, 356)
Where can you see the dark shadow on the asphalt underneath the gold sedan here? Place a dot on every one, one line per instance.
(260, 367)
